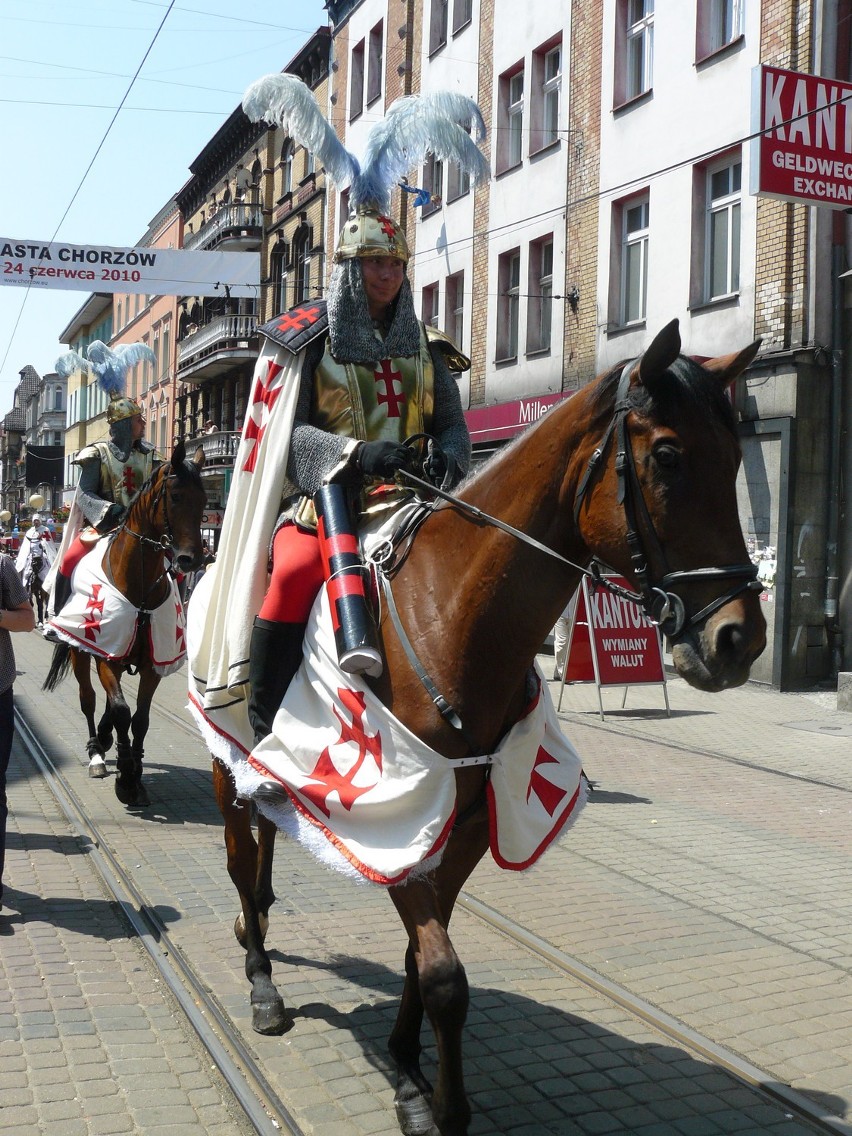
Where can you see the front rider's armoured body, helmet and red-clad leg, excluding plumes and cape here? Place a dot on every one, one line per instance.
(372, 374)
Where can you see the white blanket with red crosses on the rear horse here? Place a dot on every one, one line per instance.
(98, 619)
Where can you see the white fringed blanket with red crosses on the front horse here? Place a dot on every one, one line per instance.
(367, 795)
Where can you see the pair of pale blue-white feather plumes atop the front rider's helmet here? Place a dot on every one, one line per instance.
(414, 127)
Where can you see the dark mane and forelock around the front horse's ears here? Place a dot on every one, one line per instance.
(695, 387)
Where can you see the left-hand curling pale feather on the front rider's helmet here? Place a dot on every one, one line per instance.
(285, 101)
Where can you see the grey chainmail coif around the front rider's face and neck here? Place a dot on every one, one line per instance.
(350, 328)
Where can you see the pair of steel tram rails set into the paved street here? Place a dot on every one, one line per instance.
(262, 1106)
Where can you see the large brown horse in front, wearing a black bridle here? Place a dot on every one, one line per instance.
(638, 471)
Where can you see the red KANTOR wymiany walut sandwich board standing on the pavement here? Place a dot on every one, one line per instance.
(613, 642)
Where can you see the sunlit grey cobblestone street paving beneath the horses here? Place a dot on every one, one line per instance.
(709, 876)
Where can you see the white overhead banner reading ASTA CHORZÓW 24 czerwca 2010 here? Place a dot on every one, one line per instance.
(106, 269)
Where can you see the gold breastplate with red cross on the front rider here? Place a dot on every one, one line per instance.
(390, 400)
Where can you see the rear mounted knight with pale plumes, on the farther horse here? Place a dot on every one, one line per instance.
(112, 472)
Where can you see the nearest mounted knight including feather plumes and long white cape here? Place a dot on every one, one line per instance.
(340, 385)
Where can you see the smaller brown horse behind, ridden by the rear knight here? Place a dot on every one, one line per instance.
(162, 530)
